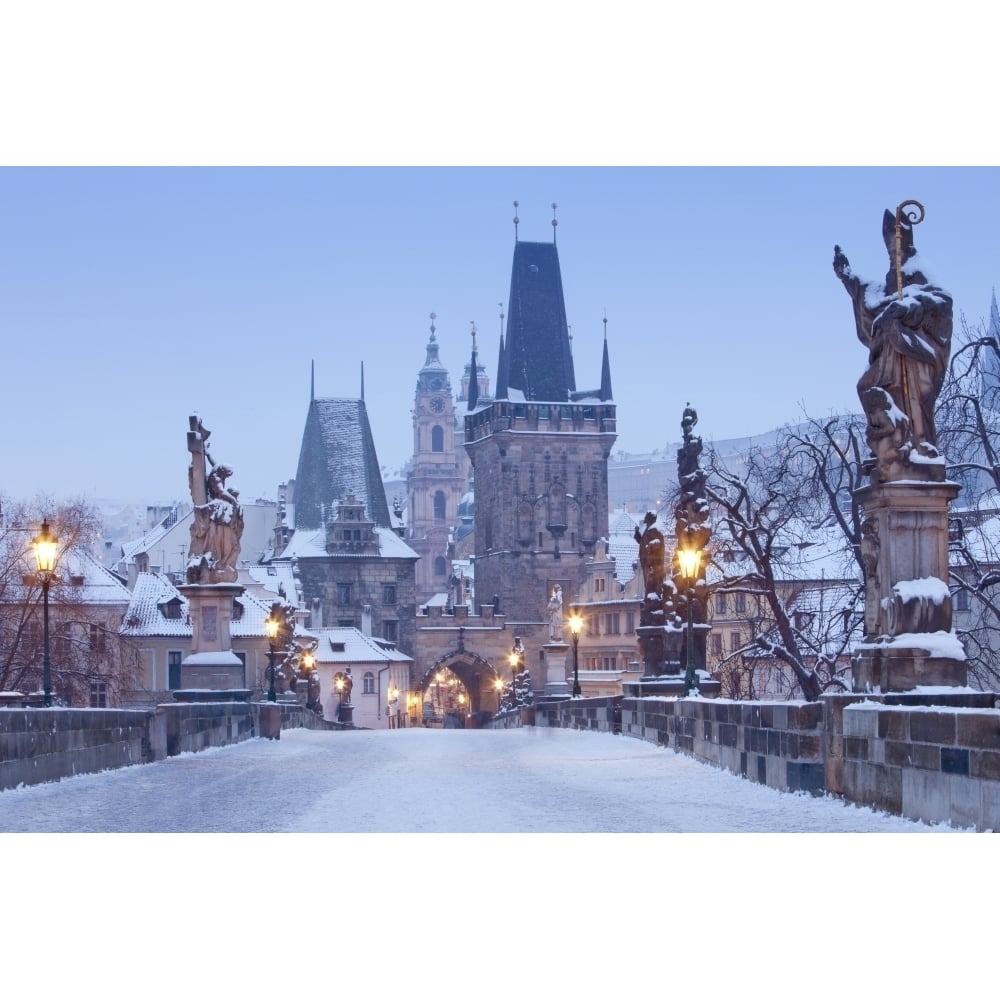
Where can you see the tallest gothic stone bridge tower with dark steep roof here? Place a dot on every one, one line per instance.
(539, 451)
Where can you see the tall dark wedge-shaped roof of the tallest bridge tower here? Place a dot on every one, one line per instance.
(538, 359)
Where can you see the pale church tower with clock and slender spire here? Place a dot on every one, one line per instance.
(438, 476)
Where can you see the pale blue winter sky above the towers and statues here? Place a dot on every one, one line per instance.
(130, 297)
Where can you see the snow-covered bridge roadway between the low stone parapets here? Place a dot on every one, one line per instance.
(531, 780)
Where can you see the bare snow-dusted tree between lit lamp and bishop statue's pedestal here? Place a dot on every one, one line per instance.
(787, 524)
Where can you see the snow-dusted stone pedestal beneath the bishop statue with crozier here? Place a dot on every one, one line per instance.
(909, 641)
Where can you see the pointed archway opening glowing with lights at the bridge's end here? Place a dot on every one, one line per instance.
(459, 690)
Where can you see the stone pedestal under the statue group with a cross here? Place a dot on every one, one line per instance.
(211, 665)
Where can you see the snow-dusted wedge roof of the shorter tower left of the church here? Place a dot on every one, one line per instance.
(338, 459)
